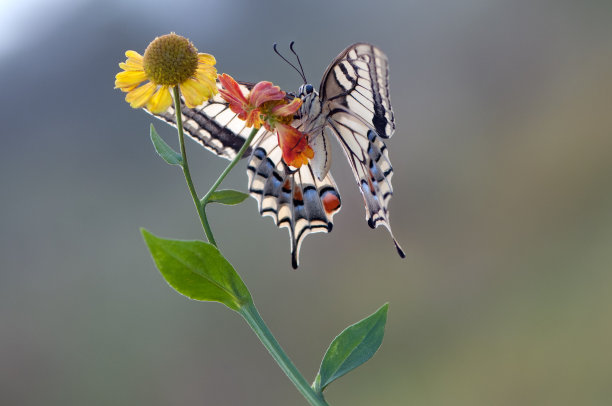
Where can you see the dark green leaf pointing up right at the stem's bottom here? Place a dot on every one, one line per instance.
(353, 346)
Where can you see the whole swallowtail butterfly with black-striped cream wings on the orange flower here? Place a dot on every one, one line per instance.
(352, 105)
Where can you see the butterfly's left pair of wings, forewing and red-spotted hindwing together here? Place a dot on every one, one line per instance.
(297, 200)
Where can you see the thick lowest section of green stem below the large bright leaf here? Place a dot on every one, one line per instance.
(252, 317)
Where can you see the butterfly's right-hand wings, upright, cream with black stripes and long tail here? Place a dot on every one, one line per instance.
(355, 95)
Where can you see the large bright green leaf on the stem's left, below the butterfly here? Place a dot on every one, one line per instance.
(198, 270)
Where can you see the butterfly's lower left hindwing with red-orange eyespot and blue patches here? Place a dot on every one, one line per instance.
(297, 200)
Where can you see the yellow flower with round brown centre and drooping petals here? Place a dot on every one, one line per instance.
(168, 61)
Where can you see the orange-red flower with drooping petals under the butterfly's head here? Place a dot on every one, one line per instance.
(266, 104)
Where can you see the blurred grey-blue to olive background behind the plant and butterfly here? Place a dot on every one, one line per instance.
(503, 168)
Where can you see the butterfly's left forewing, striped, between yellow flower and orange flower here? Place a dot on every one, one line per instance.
(214, 125)
